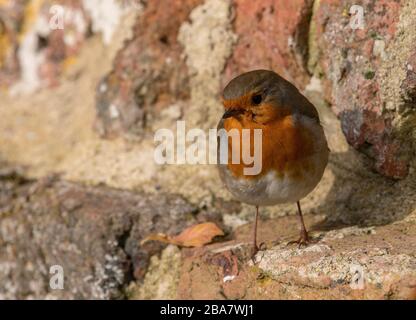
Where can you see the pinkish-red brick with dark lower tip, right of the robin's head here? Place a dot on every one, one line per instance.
(352, 82)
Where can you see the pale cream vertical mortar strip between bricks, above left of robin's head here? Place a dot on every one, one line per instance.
(208, 41)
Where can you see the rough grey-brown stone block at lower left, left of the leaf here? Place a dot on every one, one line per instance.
(93, 233)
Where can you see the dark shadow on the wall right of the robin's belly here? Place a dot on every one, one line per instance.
(364, 199)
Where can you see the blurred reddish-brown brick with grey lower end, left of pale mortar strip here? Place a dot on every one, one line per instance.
(149, 72)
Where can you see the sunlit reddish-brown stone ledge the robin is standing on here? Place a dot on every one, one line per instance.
(342, 264)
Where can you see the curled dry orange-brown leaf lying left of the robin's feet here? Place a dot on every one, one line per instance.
(194, 236)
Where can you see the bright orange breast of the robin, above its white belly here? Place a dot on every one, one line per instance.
(285, 147)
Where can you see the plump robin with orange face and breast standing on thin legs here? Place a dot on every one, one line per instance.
(294, 151)
